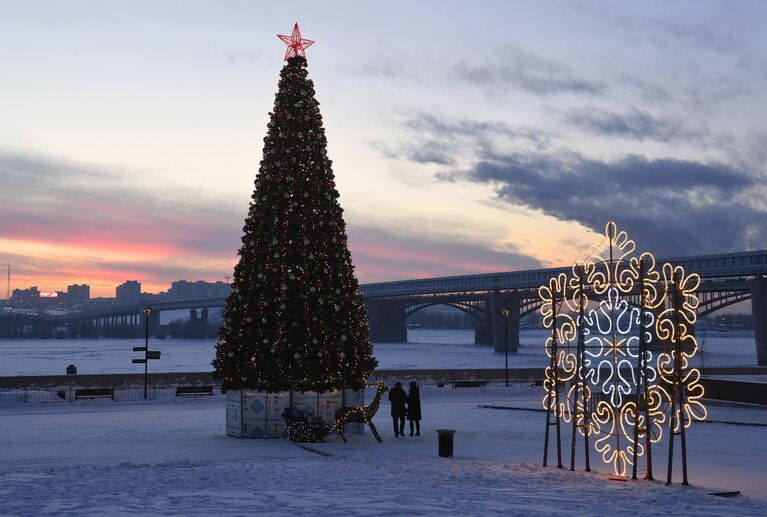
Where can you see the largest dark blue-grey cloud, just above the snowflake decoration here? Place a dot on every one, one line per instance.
(670, 206)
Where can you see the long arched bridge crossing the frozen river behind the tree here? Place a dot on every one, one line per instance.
(728, 278)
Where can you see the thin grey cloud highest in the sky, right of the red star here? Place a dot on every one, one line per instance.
(519, 69)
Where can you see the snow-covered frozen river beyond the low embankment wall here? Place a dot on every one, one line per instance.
(426, 349)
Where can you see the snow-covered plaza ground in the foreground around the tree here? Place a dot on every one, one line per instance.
(172, 458)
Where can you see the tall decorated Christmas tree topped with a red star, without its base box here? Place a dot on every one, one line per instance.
(295, 319)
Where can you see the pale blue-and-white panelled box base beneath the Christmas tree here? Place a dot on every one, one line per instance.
(258, 414)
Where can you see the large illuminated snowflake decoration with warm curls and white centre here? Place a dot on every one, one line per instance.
(620, 350)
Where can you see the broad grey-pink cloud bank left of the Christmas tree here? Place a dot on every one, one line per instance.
(59, 201)
